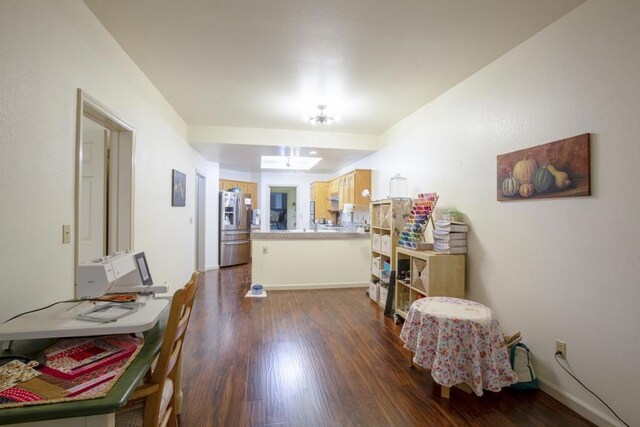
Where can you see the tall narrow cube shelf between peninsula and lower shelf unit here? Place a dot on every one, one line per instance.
(387, 220)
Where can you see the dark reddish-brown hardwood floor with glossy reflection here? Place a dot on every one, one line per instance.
(323, 358)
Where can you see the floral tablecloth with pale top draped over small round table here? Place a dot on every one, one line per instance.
(460, 341)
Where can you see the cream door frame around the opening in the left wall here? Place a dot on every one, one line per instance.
(121, 179)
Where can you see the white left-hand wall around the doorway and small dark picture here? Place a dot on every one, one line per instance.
(49, 49)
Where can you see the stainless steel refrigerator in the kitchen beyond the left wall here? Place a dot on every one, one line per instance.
(235, 243)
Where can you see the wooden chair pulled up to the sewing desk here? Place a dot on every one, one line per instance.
(153, 403)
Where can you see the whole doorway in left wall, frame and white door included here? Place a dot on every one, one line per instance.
(104, 181)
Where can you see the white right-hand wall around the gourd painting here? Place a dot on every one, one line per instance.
(564, 268)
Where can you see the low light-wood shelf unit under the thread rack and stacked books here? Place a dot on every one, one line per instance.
(430, 274)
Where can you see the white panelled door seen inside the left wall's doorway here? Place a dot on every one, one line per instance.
(91, 229)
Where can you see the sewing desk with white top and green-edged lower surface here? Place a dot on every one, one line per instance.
(35, 330)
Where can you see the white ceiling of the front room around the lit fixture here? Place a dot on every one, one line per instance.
(266, 64)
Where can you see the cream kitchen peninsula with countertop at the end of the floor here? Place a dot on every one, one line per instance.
(309, 259)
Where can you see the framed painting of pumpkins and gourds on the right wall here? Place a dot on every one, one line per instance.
(557, 169)
